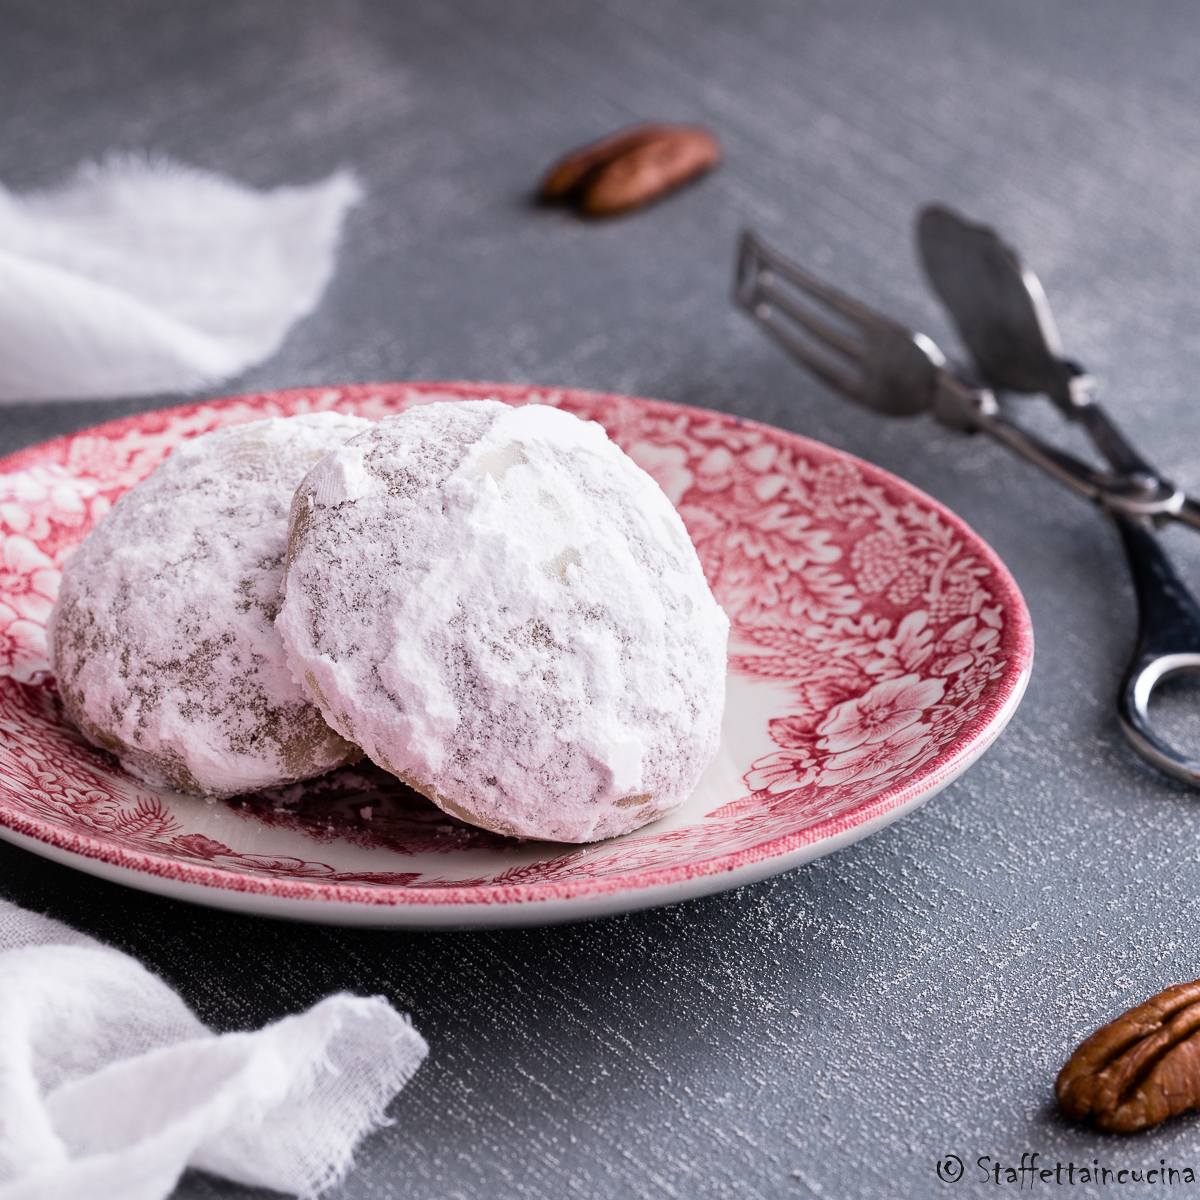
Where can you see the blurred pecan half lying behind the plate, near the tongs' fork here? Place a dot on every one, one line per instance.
(631, 169)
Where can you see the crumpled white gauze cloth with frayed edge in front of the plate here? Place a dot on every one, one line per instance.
(110, 1088)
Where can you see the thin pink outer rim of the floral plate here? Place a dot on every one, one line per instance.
(788, 849)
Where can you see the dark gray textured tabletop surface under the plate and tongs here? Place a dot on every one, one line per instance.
(833, 1031)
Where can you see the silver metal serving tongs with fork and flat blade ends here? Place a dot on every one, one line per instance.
(1004, 319)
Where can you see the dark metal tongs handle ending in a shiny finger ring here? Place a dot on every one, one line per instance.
(1168, 645)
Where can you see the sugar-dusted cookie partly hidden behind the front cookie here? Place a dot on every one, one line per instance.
(164, 637)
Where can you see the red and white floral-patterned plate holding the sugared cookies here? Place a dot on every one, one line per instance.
(878, 649)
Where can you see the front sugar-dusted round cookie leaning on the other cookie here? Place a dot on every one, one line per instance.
(507, 613)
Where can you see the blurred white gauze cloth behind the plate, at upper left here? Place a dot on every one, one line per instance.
(143, 277)
